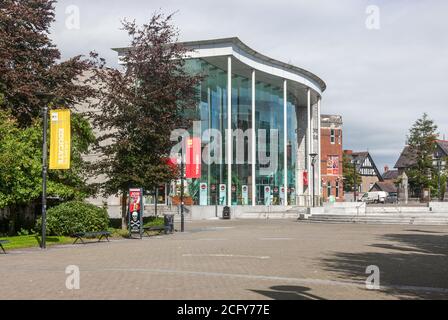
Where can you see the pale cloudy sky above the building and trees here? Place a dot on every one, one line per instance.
(385, 62)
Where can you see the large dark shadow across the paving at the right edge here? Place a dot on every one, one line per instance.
(412, 266)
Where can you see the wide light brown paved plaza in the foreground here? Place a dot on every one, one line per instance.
(244, 259)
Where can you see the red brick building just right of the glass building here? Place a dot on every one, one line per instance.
(332, 158)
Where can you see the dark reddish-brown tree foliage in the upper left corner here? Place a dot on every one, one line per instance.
(30, 74)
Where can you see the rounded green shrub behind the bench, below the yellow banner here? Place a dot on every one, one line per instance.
(75, 216)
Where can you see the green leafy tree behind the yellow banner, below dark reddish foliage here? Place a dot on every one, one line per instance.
(21, 164)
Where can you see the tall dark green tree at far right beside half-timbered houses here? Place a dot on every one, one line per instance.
(422, 145)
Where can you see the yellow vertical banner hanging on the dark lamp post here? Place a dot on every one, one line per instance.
(60, 140)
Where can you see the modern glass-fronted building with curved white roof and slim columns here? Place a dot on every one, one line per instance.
(258, 120)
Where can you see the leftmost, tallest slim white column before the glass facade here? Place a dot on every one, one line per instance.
(229, 131)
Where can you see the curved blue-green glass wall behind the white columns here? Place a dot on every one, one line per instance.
(271, 144)
